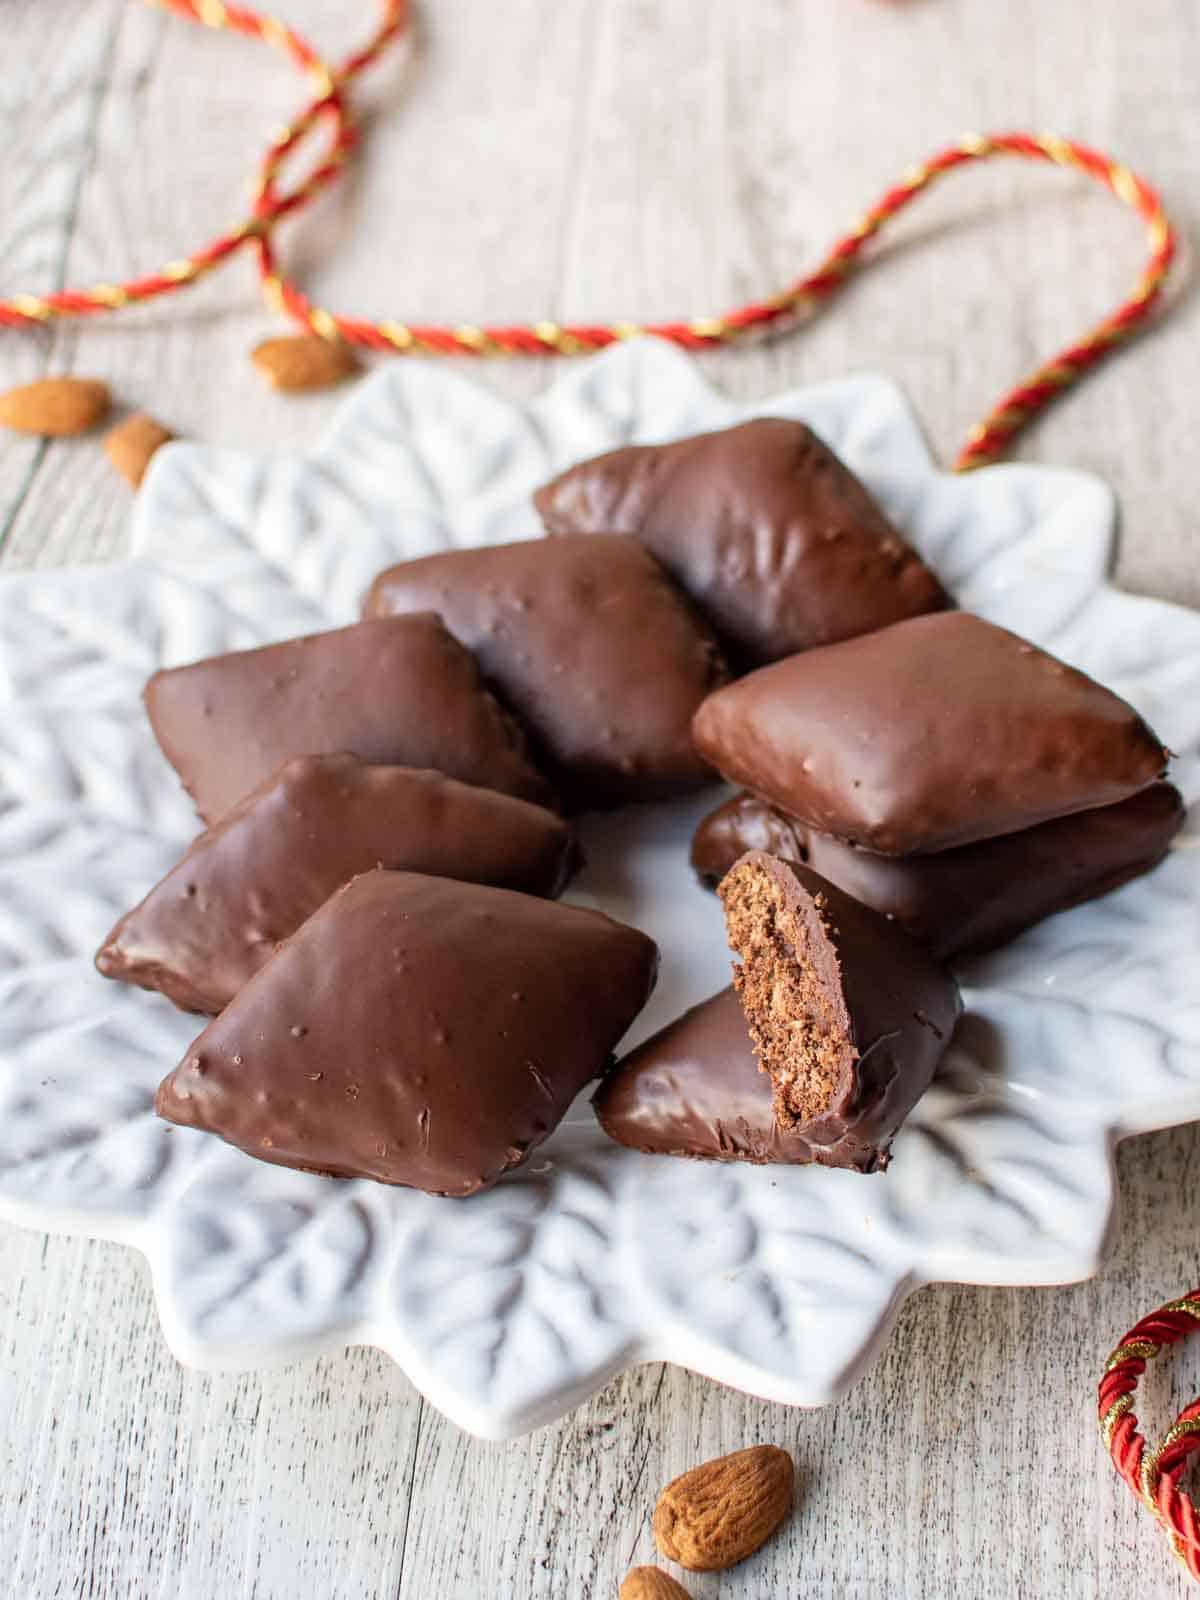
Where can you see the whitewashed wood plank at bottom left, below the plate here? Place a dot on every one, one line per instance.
(127, 1476)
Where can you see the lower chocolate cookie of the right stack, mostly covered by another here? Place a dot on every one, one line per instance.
(967, 900)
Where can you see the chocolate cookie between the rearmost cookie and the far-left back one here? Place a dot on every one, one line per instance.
(591, 644)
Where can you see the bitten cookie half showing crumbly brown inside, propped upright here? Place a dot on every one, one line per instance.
(849, 1015)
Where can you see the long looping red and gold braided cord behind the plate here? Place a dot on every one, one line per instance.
(986, 442)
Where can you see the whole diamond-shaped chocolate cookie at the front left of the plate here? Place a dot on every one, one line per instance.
(417, 1031)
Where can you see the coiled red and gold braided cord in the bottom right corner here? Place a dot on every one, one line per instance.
(1154, 1474)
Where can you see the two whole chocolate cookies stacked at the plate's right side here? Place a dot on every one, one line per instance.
(945, 772)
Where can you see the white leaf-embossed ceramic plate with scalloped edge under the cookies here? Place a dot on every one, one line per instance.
(511, 1308)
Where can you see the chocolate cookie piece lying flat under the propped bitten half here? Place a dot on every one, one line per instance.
(697, 1089)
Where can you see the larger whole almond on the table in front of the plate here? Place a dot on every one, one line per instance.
(721, 1513)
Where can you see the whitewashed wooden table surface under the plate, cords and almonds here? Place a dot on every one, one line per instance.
(599, 158)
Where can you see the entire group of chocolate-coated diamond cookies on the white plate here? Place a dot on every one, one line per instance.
(370, 914)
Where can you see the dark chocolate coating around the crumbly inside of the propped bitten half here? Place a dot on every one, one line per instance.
(898, 1009)
